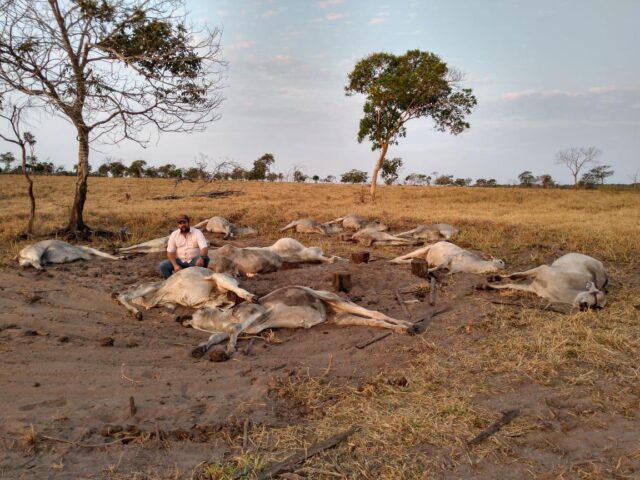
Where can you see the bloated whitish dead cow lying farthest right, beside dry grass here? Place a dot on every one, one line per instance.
(574, 279)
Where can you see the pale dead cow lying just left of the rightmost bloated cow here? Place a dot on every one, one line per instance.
(447, 256)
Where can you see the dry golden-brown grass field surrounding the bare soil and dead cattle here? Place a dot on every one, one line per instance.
(573, 377)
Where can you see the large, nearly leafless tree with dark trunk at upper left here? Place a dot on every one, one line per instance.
(111, 68)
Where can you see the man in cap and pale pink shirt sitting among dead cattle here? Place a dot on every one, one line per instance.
(187, 247)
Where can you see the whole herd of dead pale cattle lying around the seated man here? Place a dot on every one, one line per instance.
(216, 297)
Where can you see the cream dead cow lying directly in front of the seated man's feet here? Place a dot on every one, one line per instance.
(189, 287)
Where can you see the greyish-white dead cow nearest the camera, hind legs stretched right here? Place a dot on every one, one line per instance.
(288, 307)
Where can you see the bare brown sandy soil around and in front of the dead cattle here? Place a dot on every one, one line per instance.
(62, 376)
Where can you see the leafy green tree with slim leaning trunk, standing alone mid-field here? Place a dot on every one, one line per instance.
(399, 88)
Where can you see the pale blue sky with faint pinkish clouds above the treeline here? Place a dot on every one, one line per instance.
(547, 75)
